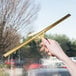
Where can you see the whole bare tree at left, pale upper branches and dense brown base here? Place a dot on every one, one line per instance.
(15, 16)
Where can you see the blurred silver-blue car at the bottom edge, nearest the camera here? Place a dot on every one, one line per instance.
(48, 72)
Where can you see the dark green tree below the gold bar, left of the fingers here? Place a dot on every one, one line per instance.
(31, 50)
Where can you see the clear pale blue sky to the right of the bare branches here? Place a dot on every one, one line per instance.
(53, 10)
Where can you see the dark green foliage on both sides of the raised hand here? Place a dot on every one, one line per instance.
(32, 49)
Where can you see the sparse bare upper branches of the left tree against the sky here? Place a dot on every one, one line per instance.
(18, 13)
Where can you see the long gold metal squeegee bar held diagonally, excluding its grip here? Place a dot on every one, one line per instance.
(36, 35)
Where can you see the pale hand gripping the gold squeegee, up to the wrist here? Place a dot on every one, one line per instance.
(53, 48)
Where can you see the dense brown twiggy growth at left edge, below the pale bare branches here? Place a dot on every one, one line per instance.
(8, 40)
